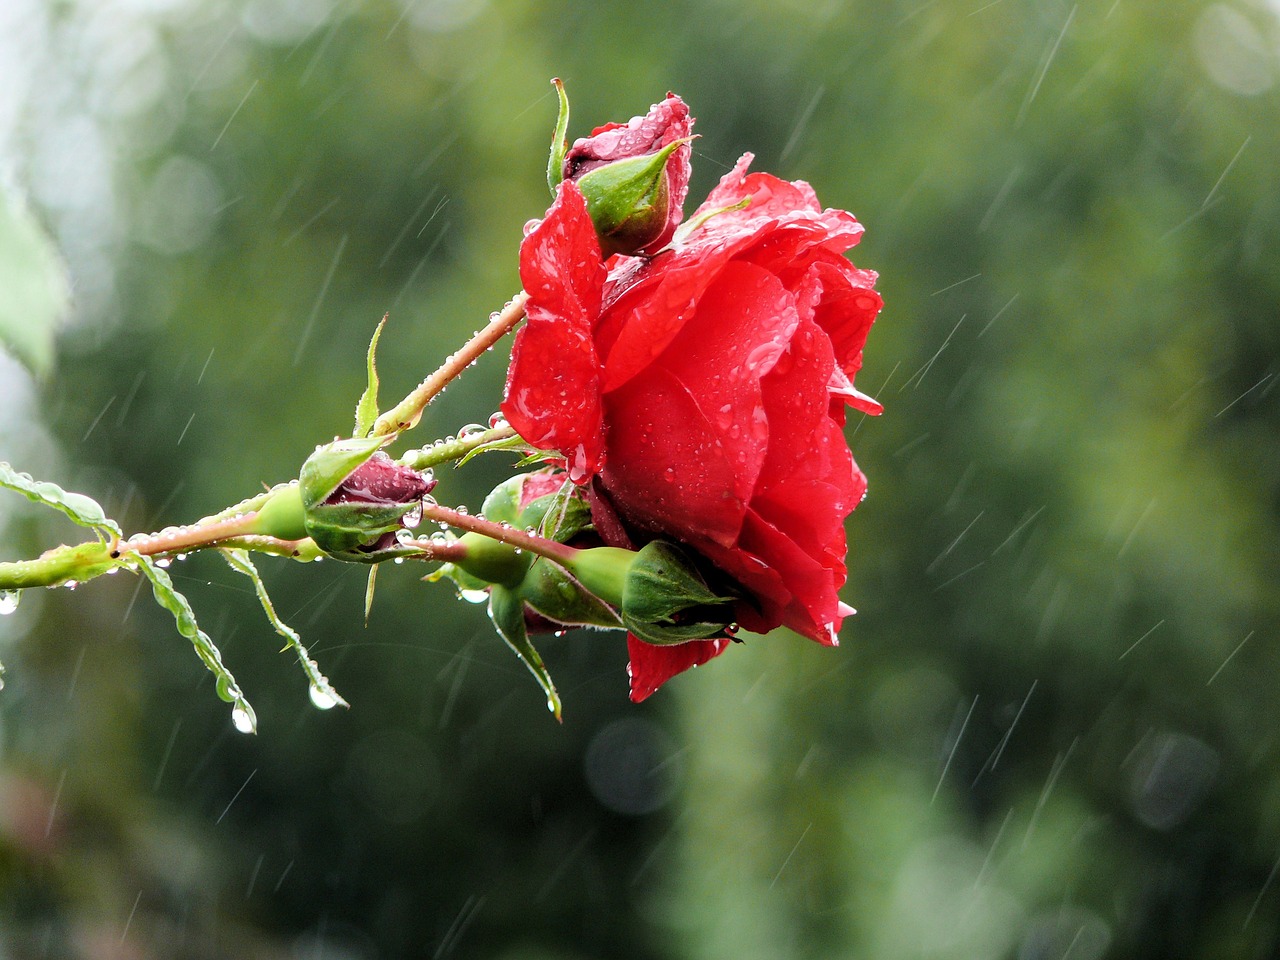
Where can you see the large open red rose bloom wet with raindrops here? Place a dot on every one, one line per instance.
(705, 391)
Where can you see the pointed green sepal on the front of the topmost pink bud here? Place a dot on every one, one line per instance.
(629, 200)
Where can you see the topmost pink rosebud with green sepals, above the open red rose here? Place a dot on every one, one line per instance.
(634, 176)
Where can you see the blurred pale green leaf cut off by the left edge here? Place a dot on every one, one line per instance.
(36, 290)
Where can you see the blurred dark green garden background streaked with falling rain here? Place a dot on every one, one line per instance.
(1053, 729)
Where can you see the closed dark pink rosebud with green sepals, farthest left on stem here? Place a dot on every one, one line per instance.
(351, 500)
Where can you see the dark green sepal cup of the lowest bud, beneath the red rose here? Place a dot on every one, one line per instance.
(666, 602)
